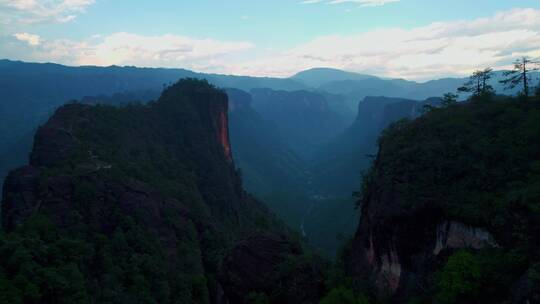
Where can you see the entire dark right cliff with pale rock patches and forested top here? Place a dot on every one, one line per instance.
(449, 211)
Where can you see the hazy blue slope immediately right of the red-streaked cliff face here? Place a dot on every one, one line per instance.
(271, 170)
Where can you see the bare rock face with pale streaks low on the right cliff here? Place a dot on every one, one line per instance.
(397, 247)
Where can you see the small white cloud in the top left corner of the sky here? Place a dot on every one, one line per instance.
(33, 11)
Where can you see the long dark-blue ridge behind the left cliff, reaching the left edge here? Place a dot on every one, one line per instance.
(30, 92)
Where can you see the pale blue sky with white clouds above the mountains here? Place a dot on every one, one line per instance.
(411, 39)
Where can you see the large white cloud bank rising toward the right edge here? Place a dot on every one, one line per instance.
(438, 49)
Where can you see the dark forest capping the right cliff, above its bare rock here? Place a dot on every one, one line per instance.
(479, 161)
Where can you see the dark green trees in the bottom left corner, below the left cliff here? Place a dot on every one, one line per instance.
(43, 264)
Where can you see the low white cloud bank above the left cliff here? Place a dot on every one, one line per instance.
(132, 49)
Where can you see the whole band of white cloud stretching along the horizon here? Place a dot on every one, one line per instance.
(431, 51)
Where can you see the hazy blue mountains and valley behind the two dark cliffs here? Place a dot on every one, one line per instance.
(301, 133)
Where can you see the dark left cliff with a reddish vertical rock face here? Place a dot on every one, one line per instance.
(128, 204)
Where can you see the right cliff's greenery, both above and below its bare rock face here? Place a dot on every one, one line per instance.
(477, 163)
